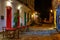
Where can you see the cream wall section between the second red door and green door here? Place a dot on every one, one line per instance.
(22, 10)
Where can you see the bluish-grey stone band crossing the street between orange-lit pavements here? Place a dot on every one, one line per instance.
(40, 32)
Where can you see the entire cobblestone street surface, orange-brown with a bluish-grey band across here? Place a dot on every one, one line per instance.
(36, 33)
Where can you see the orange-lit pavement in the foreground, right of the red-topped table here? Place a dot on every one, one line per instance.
(40, 37)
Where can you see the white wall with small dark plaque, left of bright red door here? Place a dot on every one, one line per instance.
(2, 13)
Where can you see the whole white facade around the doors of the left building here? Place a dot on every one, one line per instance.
(14, 8)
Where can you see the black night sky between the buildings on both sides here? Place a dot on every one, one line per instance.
(43, 7)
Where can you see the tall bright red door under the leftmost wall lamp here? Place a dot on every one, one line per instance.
(8, 17)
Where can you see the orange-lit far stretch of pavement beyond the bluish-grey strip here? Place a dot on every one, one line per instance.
(42, 27)
